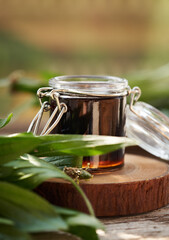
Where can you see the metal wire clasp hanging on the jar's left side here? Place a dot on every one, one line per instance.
(58, 112)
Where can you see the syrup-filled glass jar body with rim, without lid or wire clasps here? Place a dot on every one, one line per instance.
(95, 105)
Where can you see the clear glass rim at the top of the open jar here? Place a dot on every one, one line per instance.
(90, 85)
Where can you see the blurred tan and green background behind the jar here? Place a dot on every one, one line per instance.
(46, 38)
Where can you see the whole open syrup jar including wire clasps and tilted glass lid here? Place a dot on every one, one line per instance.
(97, 105)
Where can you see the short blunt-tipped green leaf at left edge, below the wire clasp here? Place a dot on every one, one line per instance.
(12, 146)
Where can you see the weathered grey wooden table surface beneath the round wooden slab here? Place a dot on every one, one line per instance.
(149, 226)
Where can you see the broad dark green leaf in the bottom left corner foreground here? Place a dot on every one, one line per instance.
(29, 211)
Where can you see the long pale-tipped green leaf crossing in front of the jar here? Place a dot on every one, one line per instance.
(79, 145)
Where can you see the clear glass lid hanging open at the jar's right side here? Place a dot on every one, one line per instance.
(149, 127)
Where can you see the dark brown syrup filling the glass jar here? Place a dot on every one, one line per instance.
(96, 116)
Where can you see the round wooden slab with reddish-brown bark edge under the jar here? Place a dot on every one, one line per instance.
(142, 185)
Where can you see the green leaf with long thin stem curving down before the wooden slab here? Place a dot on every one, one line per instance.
(29, 172)
